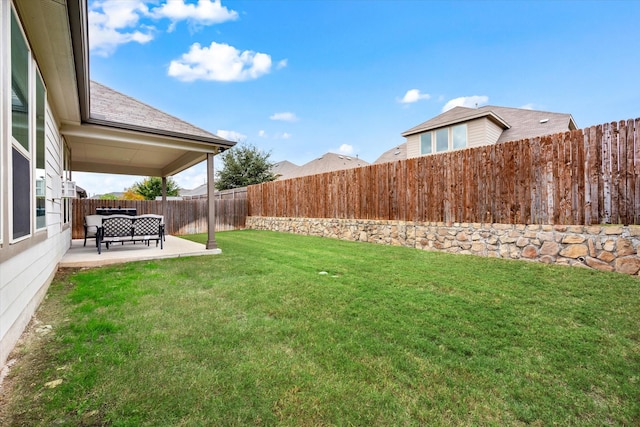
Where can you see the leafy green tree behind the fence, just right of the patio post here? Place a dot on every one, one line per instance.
(243, 165)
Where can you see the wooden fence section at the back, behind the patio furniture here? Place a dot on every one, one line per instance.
(181, 216)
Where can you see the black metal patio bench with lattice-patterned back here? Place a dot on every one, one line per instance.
(123, 228)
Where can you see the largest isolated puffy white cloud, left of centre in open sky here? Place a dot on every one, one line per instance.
(219, 62)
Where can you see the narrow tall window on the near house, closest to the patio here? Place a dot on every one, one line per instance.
(41, 174)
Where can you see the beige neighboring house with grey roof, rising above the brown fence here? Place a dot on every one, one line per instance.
(463, 127)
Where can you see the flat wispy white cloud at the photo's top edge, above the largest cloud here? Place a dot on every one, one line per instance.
(205, 12)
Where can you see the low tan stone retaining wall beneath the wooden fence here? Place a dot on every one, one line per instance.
(606, 248)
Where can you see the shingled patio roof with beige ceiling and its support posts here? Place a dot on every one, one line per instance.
(122, 135)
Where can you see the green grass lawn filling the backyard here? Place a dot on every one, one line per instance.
(388, 336)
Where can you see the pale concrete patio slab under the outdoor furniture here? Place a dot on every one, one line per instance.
(87, 256)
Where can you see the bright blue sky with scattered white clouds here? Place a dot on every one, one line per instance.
(302, 78)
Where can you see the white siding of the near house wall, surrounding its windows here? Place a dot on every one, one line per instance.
(29, 265)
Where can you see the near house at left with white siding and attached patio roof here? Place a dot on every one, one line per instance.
(54, 121)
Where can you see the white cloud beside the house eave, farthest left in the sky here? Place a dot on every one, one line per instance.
(112, 23)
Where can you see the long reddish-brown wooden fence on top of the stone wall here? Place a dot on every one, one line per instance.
(587, 176)
